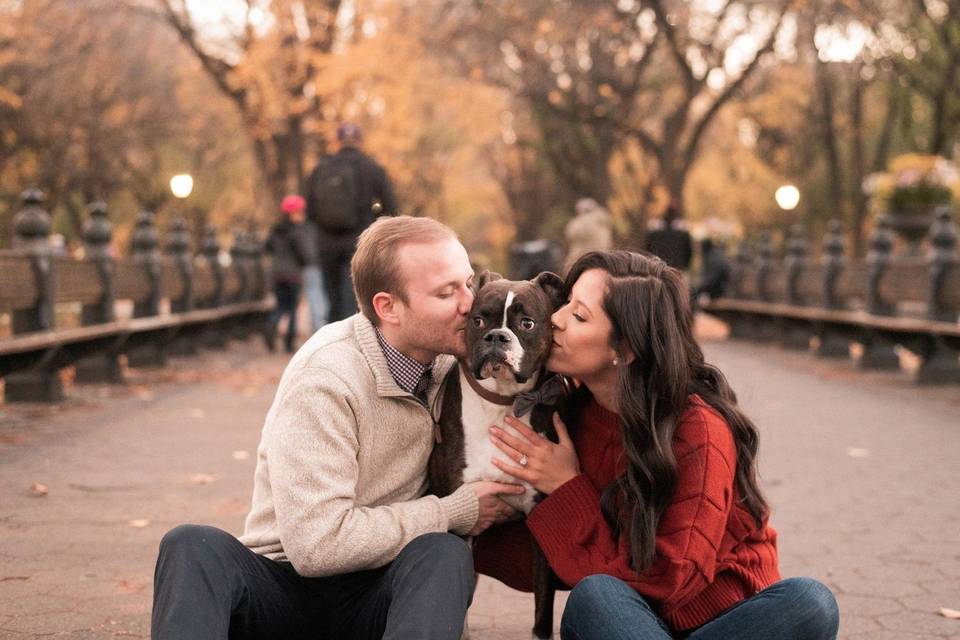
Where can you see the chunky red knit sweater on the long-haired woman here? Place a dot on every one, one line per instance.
(709, 552)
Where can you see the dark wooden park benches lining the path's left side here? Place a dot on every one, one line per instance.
(90, 312)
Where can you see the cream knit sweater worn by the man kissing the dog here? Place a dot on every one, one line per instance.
(342, 462)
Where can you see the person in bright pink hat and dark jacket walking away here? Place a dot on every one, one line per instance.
(290, 249)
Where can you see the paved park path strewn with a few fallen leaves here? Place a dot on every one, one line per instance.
(861, 470)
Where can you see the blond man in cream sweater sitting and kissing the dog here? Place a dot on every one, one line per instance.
(341, 541)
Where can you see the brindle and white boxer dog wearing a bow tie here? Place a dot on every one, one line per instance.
(508, 335)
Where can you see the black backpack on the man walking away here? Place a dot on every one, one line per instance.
(336, 194)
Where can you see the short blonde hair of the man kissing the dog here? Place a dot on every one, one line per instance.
(376, 266)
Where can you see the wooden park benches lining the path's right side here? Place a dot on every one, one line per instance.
(829, 304)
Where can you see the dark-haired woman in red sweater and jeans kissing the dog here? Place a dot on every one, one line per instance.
(653, 509)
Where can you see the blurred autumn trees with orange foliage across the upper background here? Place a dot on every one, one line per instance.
(495, 116)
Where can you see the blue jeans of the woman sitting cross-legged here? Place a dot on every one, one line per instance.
(602, 607)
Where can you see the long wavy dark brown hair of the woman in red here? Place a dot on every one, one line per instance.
(648, 305)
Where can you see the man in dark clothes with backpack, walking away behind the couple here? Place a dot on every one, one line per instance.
(348, 190)
